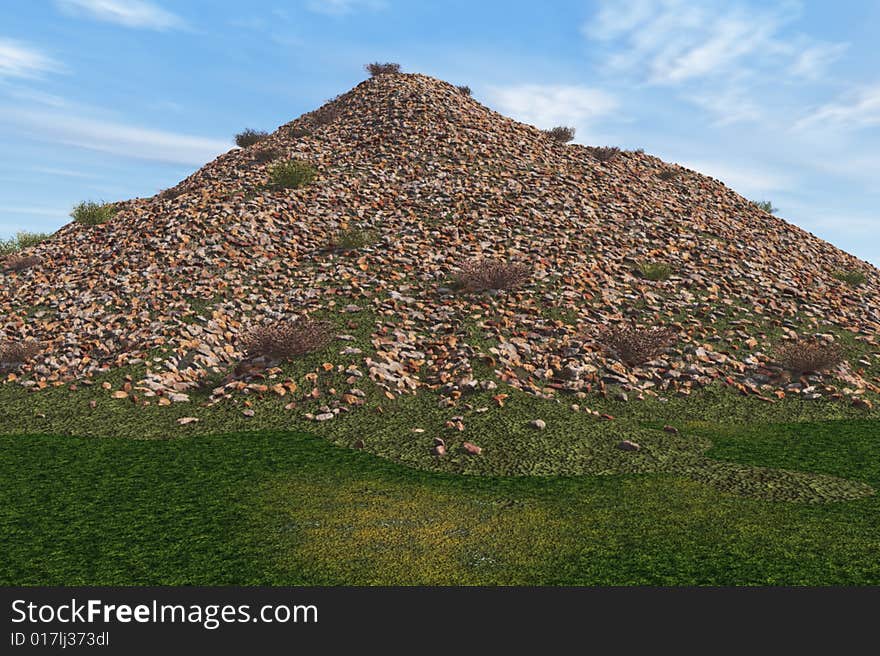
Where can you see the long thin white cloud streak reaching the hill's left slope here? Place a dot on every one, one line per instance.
(115, 138)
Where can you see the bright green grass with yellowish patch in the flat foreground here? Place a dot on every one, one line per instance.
(286, 508)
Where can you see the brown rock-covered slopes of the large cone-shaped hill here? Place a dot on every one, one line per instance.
(433, 183)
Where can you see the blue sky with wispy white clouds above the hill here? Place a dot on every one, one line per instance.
(110, 99)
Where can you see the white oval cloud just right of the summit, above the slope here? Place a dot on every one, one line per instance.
(549, 105)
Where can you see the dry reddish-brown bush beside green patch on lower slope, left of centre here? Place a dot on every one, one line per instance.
(286, 339)
